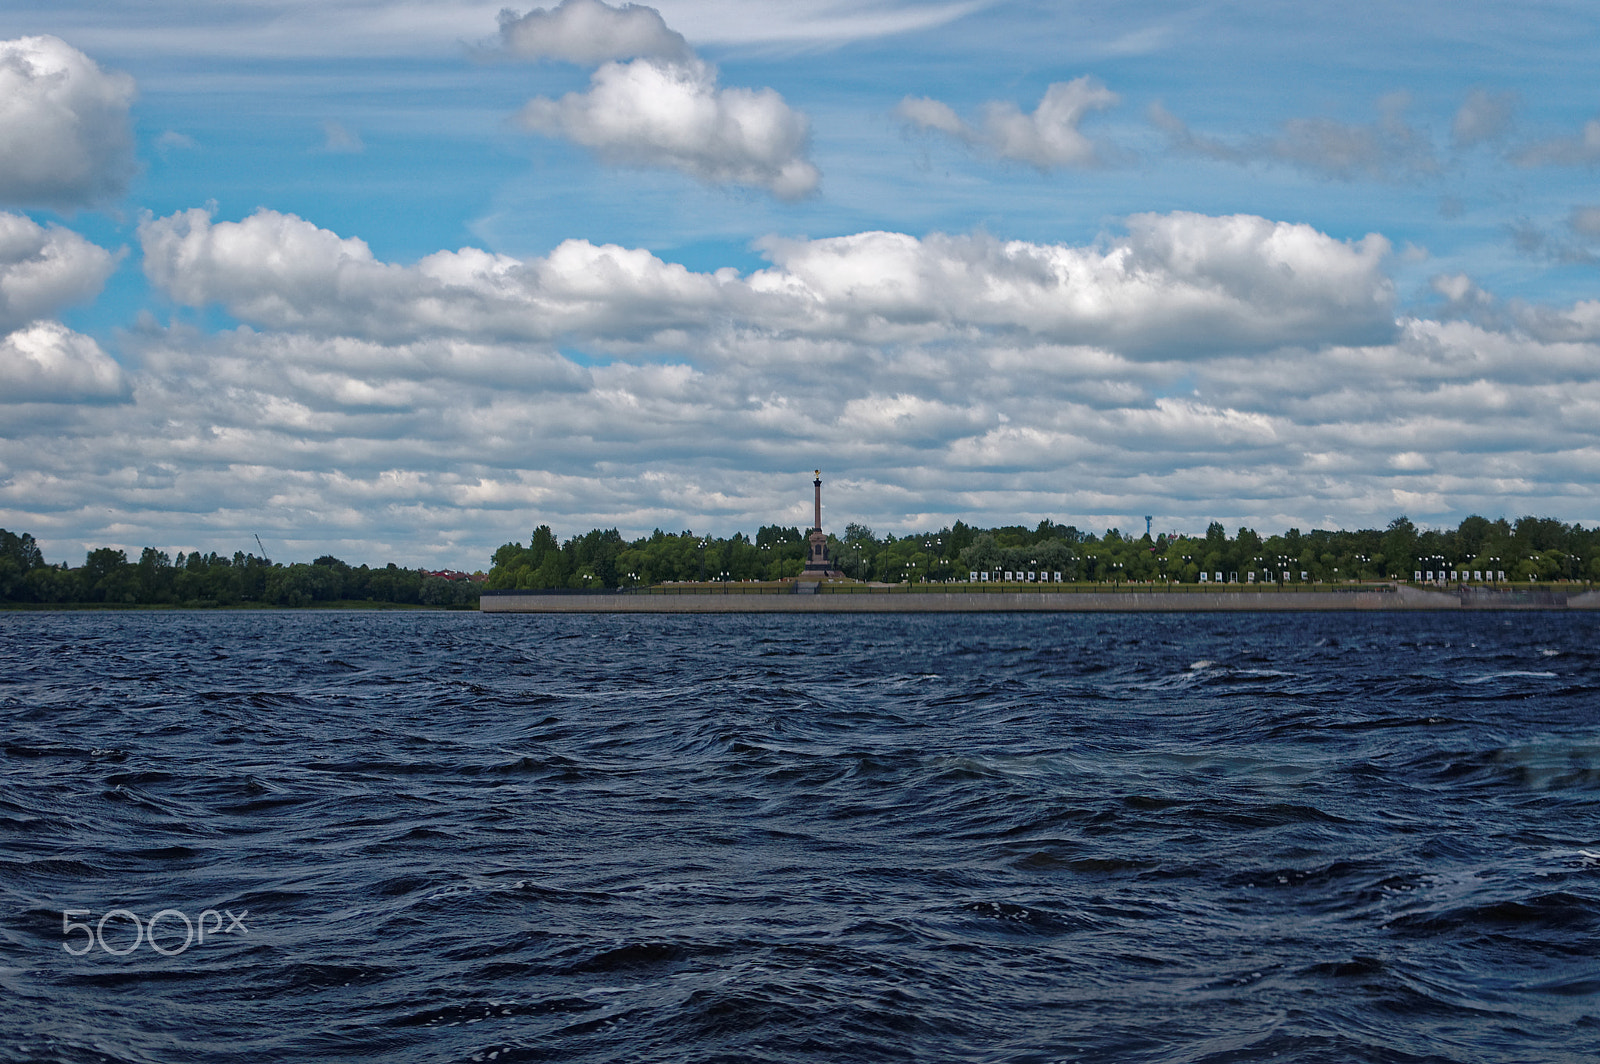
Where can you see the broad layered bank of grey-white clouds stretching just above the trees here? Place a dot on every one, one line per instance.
(425, 412)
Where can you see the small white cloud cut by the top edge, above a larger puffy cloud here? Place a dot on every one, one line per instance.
(590, 33)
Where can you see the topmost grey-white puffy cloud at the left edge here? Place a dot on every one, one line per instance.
(65, 135)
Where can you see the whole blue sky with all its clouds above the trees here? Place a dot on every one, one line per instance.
(402, 281)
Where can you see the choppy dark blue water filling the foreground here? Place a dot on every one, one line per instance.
(460, 838)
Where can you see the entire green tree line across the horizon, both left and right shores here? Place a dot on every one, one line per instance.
(1527, 550)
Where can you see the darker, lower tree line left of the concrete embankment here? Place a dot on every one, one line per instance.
(212, 580)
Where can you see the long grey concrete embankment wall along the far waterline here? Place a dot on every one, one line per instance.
(884, 601)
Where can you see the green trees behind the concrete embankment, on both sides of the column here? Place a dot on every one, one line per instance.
(1527, 550)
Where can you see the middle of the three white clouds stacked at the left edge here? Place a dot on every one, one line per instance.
(44, 270)
